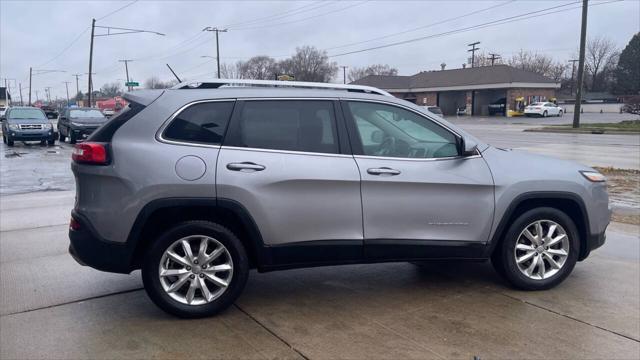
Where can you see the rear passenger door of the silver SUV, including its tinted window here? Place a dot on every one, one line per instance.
(283, 161)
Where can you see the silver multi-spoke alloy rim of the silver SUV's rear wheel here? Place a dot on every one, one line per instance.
(196, 270)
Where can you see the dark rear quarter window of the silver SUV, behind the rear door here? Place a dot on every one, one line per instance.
(203, 123)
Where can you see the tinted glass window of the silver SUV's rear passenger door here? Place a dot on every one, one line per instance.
(288, 125)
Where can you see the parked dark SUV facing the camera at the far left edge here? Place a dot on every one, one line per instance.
(24, 123)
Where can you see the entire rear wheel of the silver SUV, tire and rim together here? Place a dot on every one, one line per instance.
(177, 303)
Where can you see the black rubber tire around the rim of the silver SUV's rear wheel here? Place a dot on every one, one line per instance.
(152, 259)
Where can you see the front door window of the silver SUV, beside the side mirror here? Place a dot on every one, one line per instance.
(391, 131)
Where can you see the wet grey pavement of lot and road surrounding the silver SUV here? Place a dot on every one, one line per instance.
(52, 307)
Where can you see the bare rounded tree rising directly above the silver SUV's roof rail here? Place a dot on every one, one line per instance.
(308, 64)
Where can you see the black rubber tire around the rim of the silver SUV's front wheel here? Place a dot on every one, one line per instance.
(511, 270)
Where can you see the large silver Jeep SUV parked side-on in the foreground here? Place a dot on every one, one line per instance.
(197, 184)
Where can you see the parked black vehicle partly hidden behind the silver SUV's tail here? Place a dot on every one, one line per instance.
(77, 123)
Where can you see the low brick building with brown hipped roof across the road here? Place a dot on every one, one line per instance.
(474, 88)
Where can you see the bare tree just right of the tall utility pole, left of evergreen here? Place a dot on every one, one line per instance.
(600, 60)
